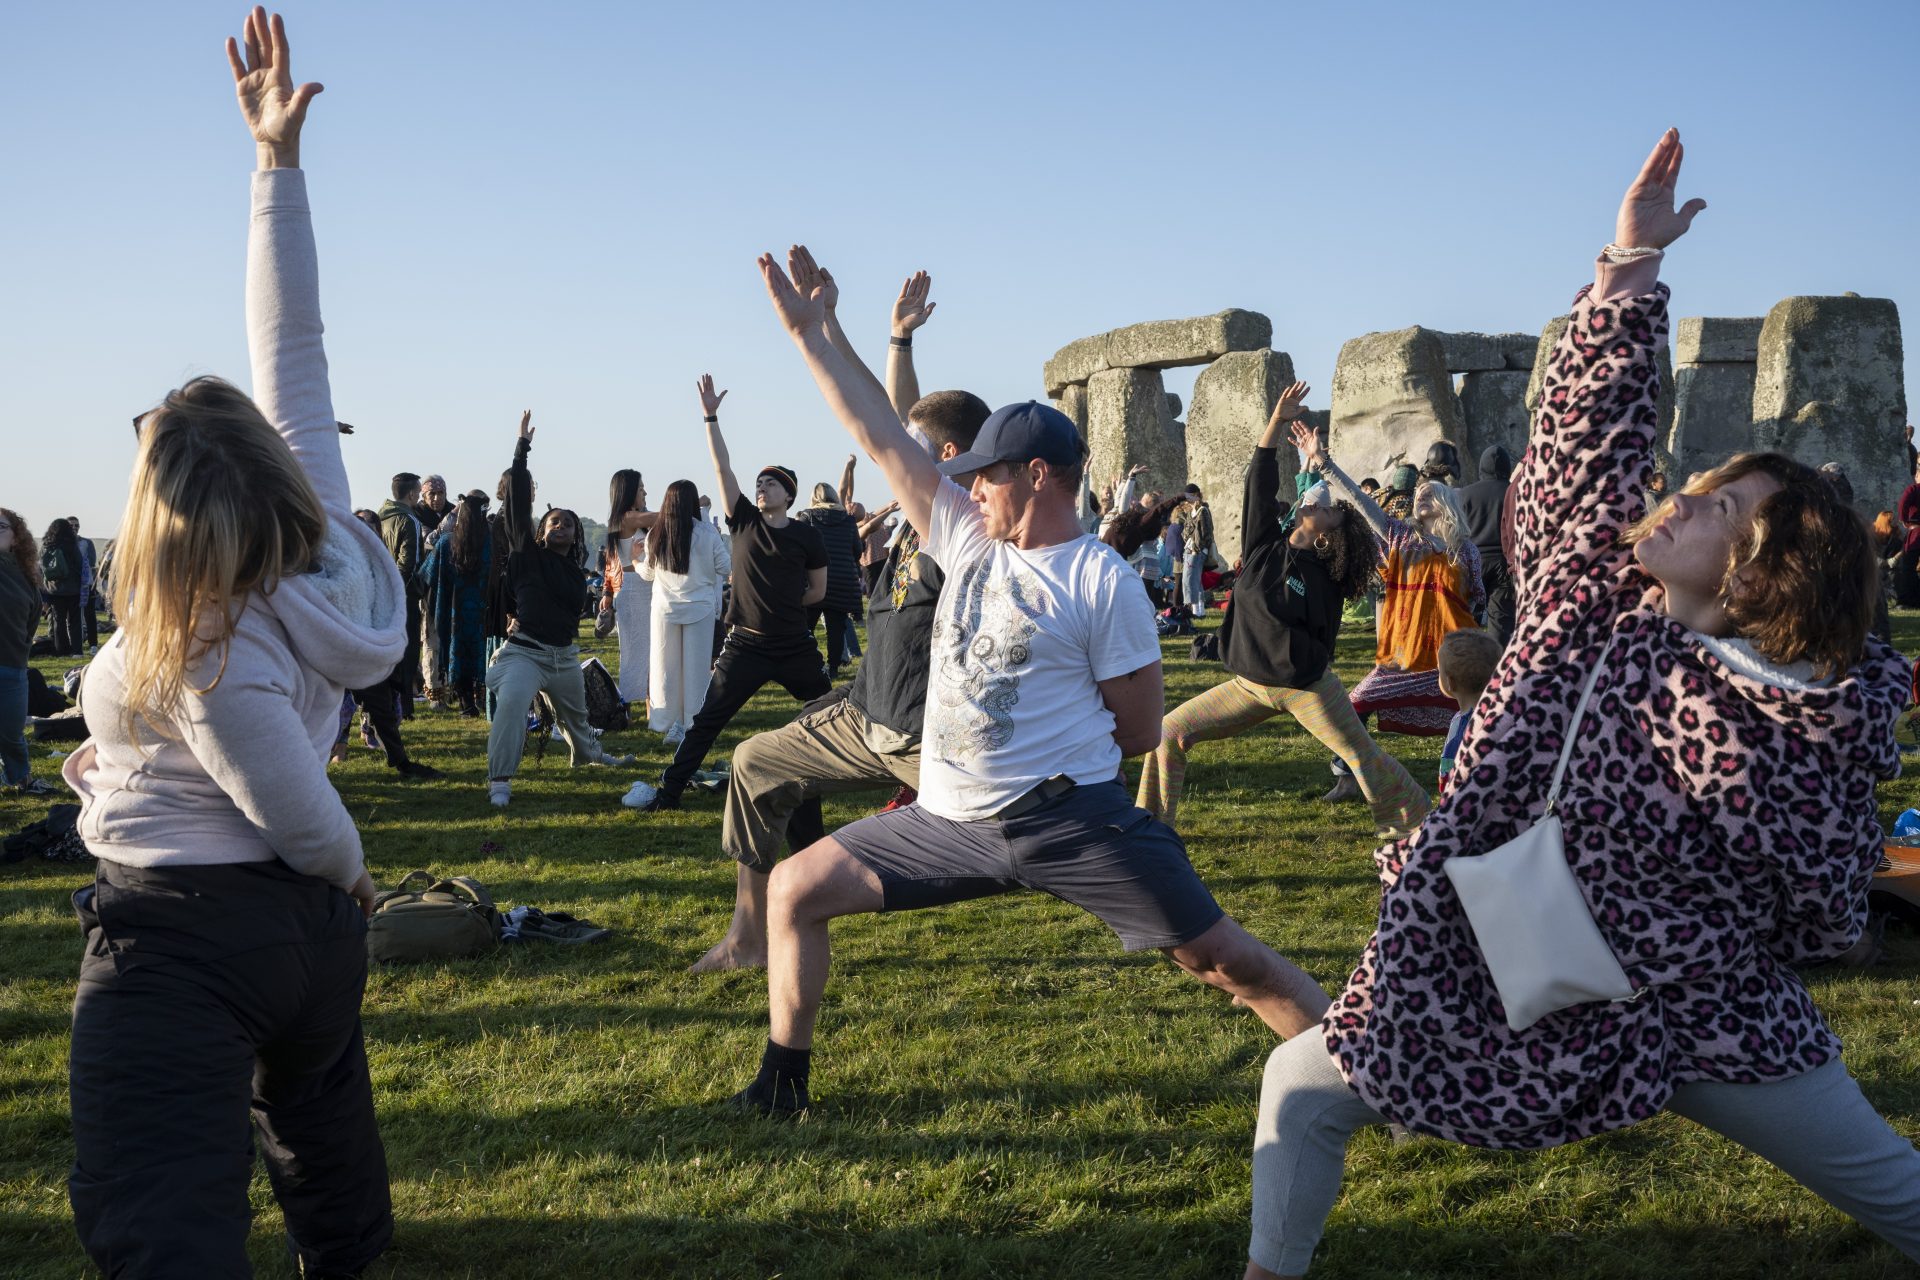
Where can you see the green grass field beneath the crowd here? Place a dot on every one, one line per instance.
(999, 1091)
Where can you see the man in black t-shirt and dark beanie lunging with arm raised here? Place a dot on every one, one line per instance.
(780, 567)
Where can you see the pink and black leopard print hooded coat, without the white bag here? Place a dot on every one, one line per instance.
(1721, 828)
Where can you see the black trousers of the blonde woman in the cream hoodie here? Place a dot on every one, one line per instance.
(218, 1003)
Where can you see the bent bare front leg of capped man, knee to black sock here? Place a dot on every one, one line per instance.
(805, 893)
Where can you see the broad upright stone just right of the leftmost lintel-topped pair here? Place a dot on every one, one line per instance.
(1391, 396)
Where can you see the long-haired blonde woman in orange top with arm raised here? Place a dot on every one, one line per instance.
(1431, 586)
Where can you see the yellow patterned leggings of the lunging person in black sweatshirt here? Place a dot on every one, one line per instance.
(1397, 801)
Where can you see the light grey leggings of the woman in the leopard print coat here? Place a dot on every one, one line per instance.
(1815, 1127)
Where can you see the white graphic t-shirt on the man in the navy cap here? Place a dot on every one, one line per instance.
(1020, 640)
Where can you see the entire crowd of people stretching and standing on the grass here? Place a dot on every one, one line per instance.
(1714, 650)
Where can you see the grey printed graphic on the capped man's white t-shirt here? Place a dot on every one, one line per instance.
(982, 648)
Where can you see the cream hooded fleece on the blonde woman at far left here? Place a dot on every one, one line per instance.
(245, 774)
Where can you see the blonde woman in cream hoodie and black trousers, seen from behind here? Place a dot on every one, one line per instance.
(226, 932)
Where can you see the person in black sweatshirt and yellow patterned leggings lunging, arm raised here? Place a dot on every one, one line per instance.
(1278, 640)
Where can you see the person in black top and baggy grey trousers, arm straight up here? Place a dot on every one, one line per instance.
(548, 582)
